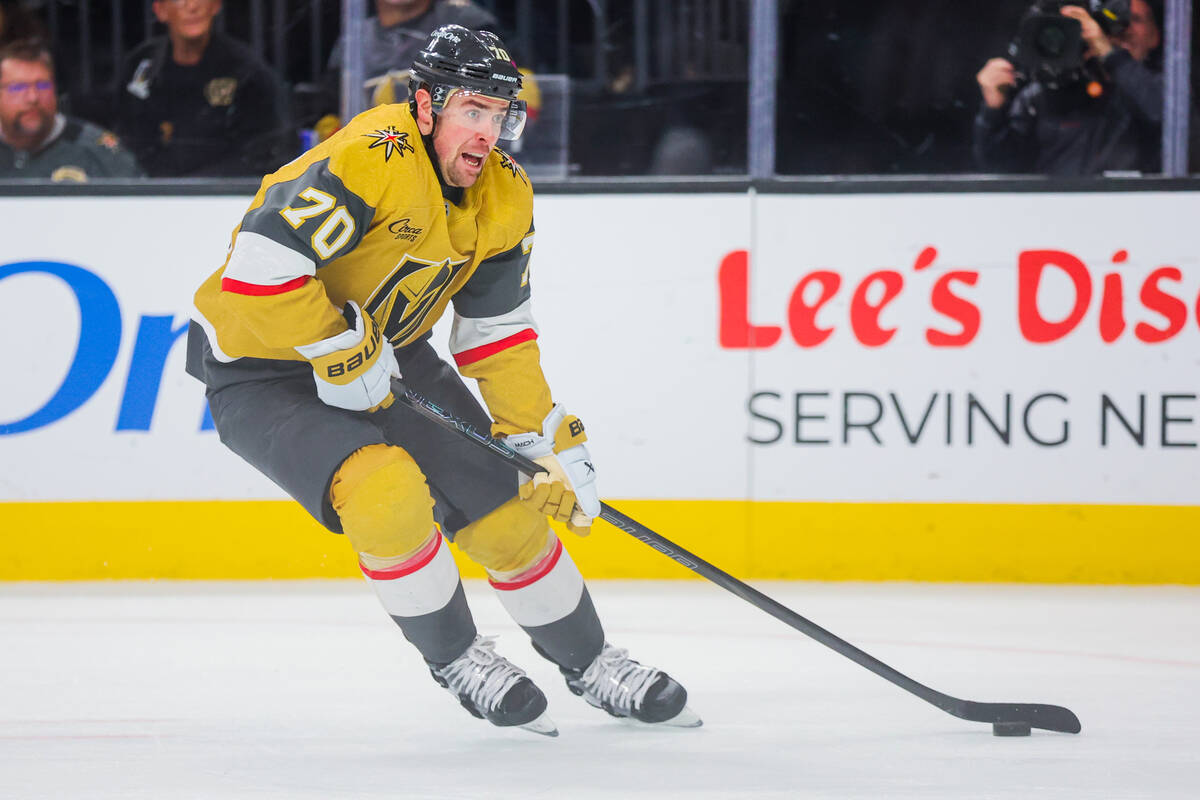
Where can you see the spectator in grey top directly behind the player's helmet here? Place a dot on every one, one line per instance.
(391, 41)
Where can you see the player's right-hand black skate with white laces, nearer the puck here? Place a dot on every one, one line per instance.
(627, 689)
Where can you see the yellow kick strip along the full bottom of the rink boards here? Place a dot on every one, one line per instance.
(824, 542)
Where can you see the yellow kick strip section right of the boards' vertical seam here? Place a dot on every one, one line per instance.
(976, 543)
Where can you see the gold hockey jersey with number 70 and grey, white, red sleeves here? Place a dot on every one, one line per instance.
(363, 218)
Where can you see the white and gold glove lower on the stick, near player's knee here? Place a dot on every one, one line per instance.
(567, 492)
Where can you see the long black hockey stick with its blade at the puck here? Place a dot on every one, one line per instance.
(1007, 719)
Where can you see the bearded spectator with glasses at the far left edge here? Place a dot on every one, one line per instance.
(39, 142)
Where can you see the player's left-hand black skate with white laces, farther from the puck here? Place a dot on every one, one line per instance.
(493, 689)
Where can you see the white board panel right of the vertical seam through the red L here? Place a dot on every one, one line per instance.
(1007, 348)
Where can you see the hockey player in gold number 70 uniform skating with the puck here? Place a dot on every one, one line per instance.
(335, 276)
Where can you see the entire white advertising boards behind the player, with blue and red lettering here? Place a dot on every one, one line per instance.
(1034, 348)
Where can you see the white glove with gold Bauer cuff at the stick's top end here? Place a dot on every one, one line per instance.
(355, 369)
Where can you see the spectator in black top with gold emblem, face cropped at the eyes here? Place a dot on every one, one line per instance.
(197, 103)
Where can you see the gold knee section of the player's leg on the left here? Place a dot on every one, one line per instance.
(386, 508)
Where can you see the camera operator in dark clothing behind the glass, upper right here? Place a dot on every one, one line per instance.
(1111, 121)
